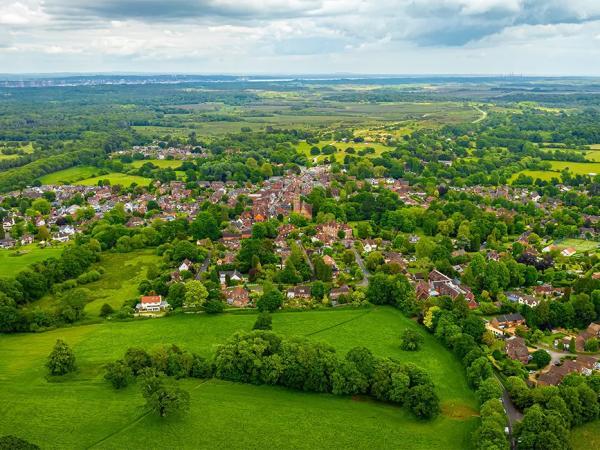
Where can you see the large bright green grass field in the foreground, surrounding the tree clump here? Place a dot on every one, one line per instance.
(83, 411)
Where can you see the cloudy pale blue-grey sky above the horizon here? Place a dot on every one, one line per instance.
(530, 37)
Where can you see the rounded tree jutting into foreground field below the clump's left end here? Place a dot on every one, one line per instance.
(165, 400)
